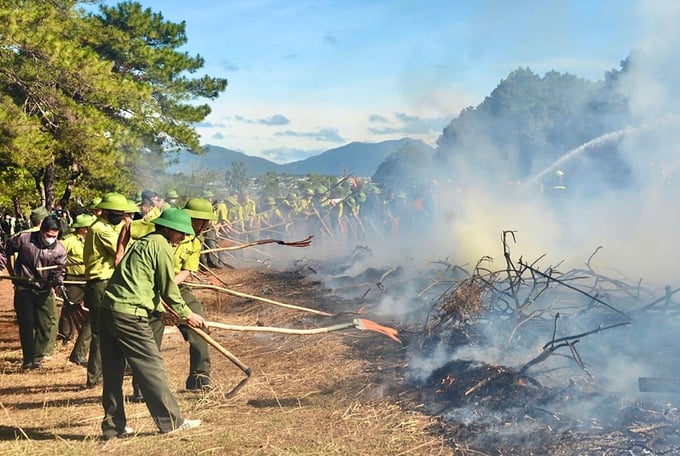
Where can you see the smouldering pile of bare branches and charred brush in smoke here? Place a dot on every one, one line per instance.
(537, 361)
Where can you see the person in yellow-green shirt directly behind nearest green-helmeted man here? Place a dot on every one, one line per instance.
(99, 255)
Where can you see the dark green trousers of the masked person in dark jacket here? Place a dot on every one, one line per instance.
(37, 320)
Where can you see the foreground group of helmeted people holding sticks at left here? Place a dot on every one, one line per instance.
(118, 268)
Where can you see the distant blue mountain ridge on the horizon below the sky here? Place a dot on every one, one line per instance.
(360, 159)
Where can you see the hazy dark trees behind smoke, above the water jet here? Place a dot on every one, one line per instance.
(529, 121)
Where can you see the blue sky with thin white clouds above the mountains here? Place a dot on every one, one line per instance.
(308, 76)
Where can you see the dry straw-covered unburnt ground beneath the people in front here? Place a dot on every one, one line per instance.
(332, 393)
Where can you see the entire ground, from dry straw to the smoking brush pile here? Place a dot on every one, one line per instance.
(512, 361)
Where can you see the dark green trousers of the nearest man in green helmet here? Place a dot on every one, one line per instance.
(127, 337)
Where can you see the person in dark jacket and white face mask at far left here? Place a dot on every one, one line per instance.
(39, 266)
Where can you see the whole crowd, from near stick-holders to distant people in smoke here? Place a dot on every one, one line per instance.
(119, 265)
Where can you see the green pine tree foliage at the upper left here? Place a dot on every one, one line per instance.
(93, 100)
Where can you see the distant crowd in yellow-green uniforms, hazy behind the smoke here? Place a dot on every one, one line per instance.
(349, 210)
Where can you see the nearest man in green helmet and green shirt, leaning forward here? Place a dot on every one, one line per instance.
(134, 292)
